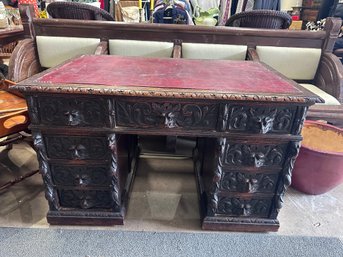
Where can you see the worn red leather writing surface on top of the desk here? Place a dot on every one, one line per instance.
(214, 75)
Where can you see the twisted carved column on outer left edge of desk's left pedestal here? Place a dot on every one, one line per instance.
(50, 192)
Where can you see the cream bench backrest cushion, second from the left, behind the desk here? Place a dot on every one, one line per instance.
(140, 48)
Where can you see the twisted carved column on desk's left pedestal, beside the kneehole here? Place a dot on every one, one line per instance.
(114, 173)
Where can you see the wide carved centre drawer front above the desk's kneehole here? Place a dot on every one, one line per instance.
(166, 115)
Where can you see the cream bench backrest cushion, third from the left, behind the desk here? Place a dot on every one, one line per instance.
(213, 51)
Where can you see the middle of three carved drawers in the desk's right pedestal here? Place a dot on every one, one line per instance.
(245, 182)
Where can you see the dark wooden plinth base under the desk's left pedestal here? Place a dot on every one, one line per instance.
(58, 218)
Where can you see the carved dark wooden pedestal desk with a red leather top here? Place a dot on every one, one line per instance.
(85, 115)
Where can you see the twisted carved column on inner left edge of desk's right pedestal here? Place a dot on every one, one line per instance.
(213, 196)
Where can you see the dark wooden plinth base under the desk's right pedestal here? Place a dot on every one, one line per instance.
(239, 224)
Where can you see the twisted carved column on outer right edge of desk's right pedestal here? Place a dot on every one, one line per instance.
(286, 176)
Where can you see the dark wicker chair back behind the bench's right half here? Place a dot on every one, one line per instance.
(267, 19)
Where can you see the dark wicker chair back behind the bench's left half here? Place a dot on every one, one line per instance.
(77, 11)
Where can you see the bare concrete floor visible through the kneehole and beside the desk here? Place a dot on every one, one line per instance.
(163, 199)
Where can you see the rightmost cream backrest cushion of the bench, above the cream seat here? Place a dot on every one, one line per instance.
(294, 63)
